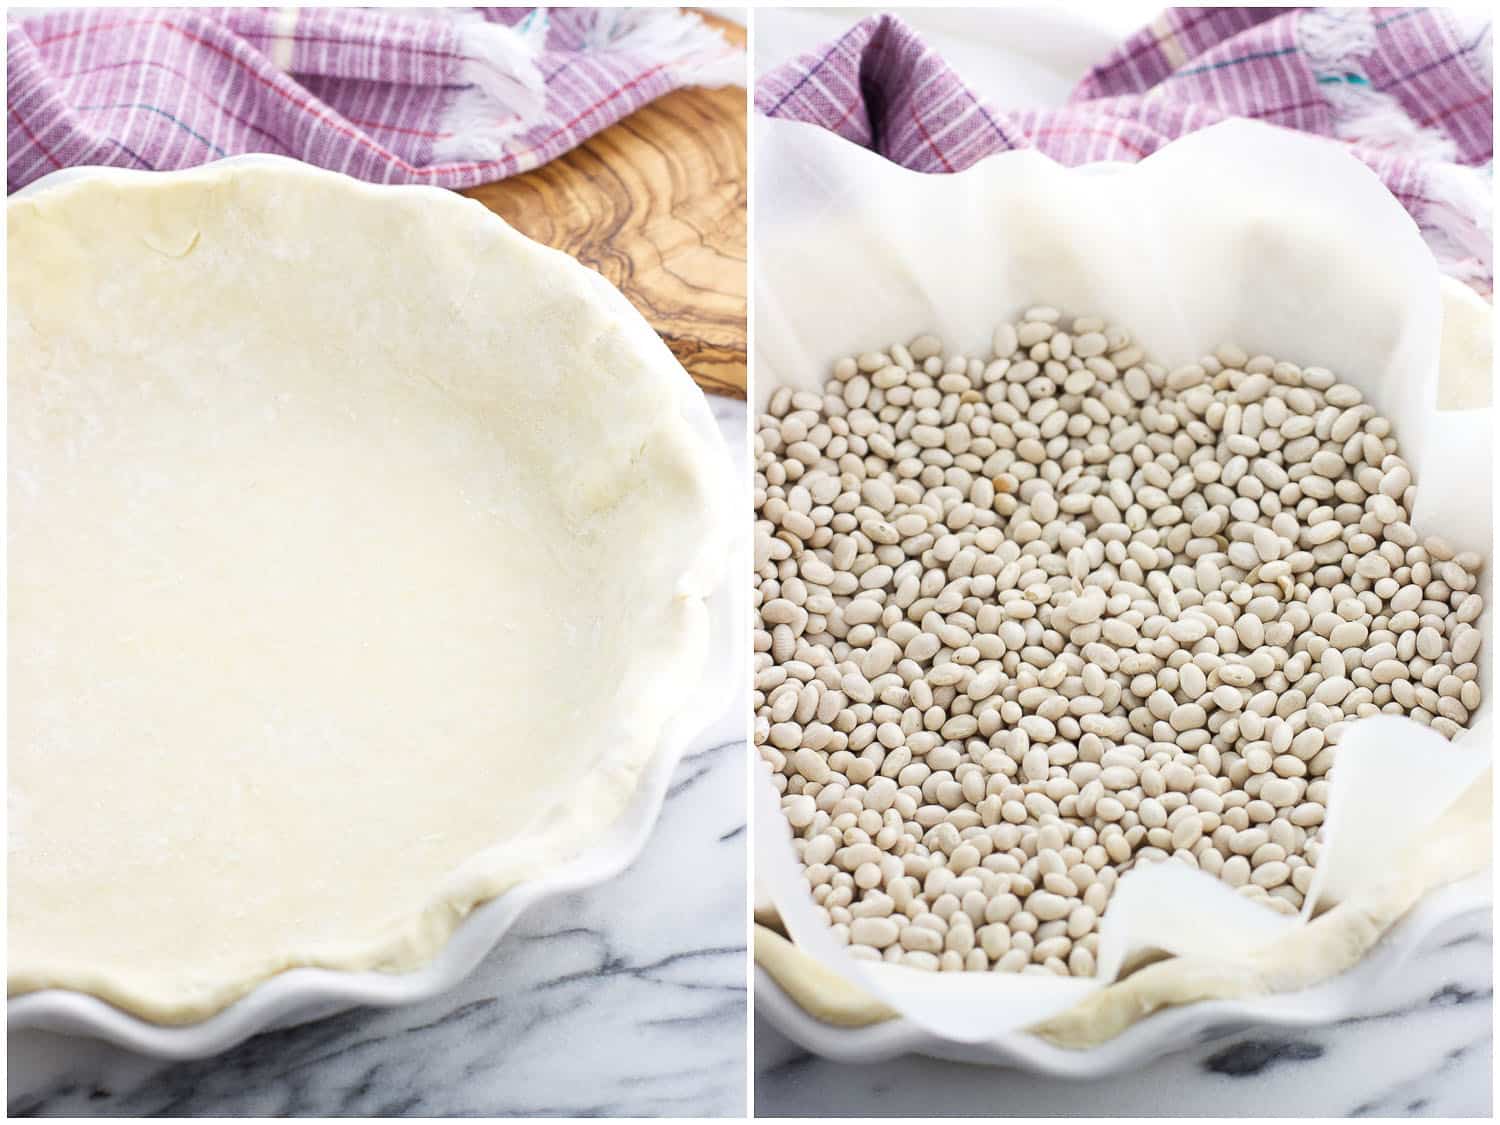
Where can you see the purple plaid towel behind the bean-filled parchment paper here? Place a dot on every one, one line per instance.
(1408, 89)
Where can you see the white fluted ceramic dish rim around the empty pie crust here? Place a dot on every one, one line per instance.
(302, 995)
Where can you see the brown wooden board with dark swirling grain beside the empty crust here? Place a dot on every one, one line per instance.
(658, 205)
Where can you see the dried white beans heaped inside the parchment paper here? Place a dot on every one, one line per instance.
(1024, 622)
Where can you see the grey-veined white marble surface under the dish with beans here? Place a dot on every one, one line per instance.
(1424, 1049)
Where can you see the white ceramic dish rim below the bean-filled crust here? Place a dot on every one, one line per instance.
(1345, 997)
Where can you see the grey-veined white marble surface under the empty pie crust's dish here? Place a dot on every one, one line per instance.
(628, 1000)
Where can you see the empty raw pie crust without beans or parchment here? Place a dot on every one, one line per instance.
(358, 559)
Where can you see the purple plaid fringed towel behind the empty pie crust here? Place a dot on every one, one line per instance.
(440, 97)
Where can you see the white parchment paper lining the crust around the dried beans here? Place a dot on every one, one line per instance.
(1276, 241)
